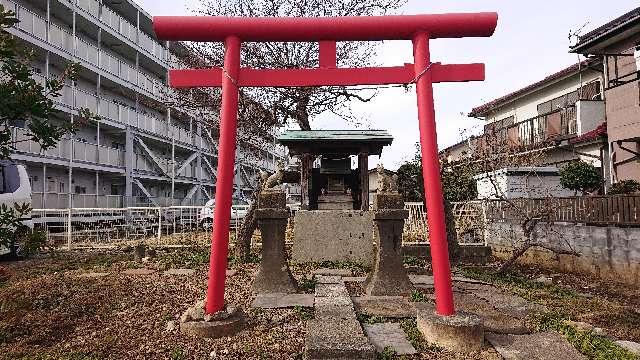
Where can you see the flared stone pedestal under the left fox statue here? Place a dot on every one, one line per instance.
(274, 275)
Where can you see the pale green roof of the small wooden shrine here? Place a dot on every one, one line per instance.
(335, 141)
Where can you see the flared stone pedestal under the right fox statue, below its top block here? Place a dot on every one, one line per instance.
(389, 277)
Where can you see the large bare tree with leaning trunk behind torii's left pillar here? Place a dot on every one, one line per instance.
(262, 109)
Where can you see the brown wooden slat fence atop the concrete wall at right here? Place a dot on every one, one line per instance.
(621, 210)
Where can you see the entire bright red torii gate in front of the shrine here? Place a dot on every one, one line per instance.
(420, 29)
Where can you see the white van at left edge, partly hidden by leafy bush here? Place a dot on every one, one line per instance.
(14, 189)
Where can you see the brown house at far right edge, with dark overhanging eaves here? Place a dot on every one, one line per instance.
(617, 45)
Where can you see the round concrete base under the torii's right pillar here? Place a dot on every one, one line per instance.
(462, 332)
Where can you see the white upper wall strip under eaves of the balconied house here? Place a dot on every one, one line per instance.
(526, 107)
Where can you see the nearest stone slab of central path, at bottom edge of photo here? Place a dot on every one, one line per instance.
(337, 339)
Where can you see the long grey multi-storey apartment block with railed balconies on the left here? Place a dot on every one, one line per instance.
(142, 150)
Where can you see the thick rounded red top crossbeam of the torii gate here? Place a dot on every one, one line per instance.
(350, 28)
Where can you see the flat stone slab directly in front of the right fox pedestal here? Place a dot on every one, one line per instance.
(385, 306)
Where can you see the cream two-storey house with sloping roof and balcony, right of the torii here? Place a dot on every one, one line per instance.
(561, 116)
